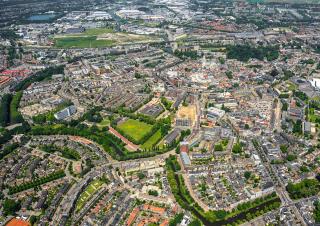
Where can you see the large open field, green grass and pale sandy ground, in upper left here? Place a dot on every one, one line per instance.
(99, 37)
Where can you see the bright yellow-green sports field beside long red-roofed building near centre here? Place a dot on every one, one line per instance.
(135, 128)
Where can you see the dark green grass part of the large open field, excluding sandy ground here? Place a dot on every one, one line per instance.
(82, 42)
